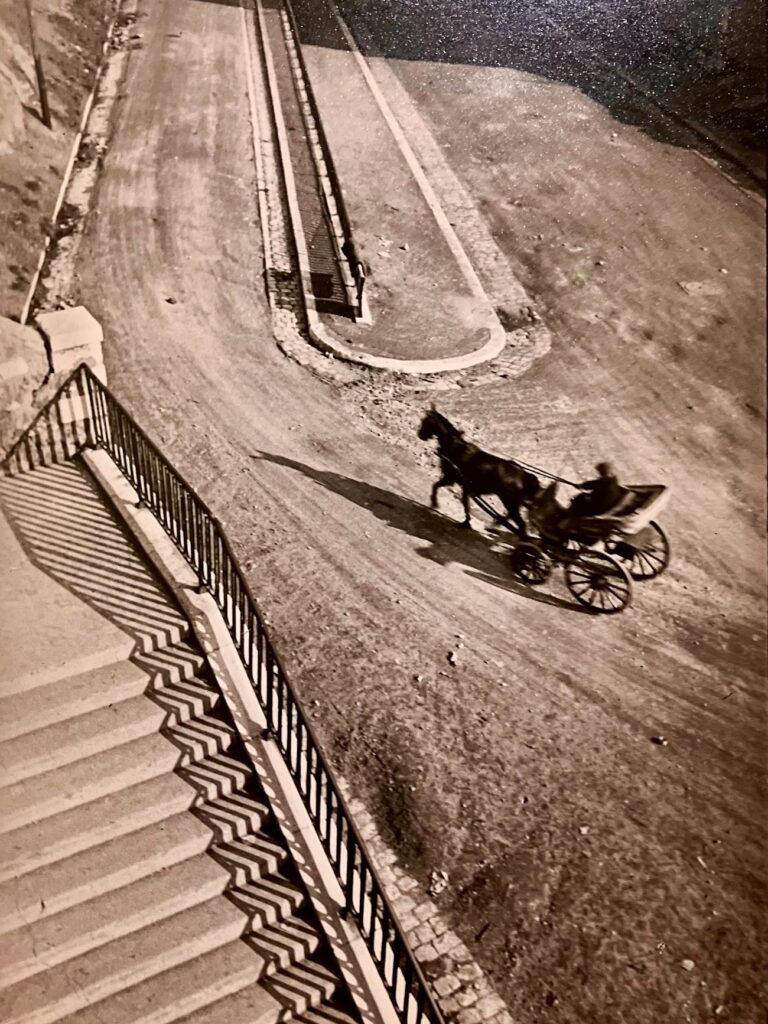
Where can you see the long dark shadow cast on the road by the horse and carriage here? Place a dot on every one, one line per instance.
(447, 543)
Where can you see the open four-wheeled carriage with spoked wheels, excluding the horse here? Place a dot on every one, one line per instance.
(602, 556)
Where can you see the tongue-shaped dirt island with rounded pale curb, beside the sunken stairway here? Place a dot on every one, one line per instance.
(429, 308)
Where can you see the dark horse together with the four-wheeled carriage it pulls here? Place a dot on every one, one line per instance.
(602, 556)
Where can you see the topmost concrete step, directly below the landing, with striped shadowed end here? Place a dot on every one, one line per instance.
(35, 709)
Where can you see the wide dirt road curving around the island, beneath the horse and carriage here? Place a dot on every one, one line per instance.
(586, 864)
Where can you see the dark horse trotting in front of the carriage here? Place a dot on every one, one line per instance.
(478, 473)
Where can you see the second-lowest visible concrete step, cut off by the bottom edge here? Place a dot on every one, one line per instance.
(280, 998)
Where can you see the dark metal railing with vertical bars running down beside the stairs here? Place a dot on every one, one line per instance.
(86, 414)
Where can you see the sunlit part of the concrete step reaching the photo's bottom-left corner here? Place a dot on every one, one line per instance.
(69, 988)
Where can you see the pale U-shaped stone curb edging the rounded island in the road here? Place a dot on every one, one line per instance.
(320, 334)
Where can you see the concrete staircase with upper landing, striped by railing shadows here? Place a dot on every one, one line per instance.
(143, 877)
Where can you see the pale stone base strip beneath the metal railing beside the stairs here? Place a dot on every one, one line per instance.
(352, 955)
